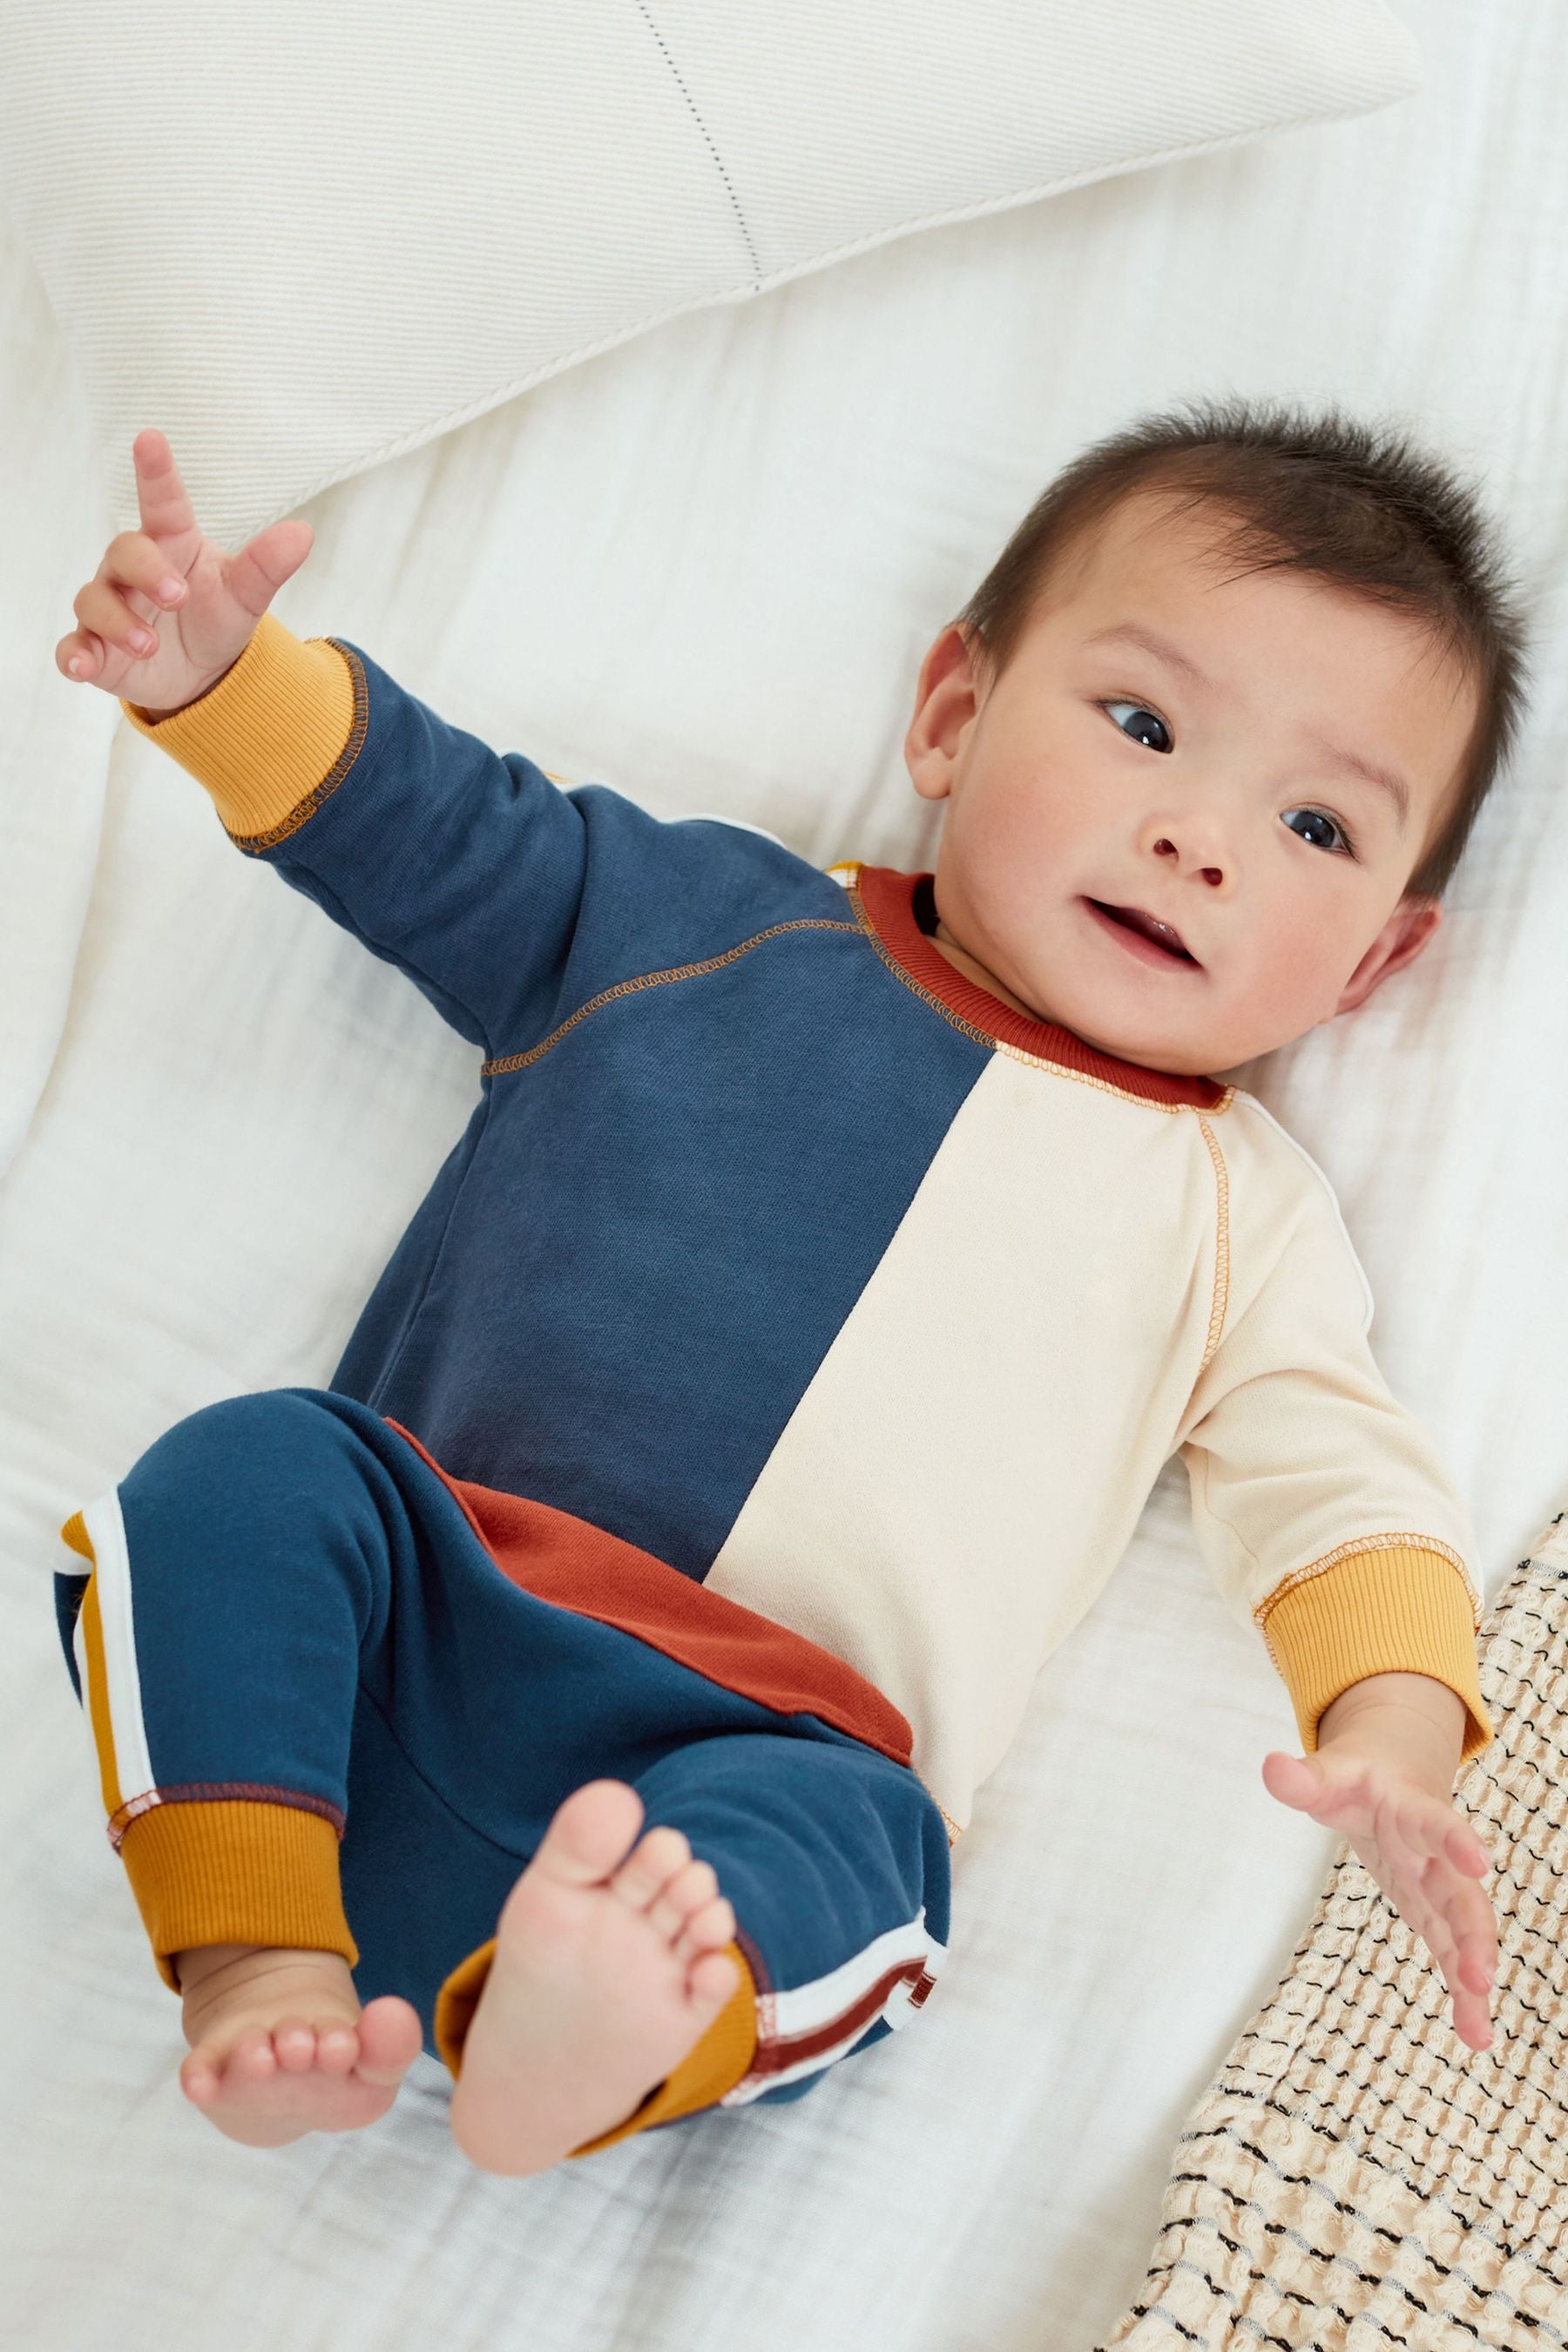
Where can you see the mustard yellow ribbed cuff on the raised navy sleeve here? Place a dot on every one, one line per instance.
(274, 737)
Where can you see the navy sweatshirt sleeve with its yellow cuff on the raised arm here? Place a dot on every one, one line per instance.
(457, 864)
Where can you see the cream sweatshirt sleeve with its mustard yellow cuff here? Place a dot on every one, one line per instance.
(1322, 1506)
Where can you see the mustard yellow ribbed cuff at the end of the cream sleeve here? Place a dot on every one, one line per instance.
(1395, 1610)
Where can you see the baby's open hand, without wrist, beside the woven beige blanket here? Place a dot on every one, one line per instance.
(1419, 1850)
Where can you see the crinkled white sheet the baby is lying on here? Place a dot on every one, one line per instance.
(704, 570)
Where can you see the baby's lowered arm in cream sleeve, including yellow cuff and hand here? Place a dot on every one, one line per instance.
(1336, 1530)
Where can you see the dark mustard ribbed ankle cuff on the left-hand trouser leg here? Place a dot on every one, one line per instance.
(232, 1871)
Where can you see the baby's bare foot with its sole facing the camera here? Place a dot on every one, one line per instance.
(608, 1970)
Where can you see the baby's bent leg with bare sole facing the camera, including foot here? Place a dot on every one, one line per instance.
(634, 1989)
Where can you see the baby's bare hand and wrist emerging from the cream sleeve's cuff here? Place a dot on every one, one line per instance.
(1383, 1777)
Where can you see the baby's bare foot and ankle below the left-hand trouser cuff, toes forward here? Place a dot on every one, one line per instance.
(281, 2045)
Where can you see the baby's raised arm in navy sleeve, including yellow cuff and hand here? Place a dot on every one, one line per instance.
(462, 867)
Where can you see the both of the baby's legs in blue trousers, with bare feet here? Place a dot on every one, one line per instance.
(326, 1645)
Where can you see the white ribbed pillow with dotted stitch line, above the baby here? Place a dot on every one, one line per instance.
(307, 239)
